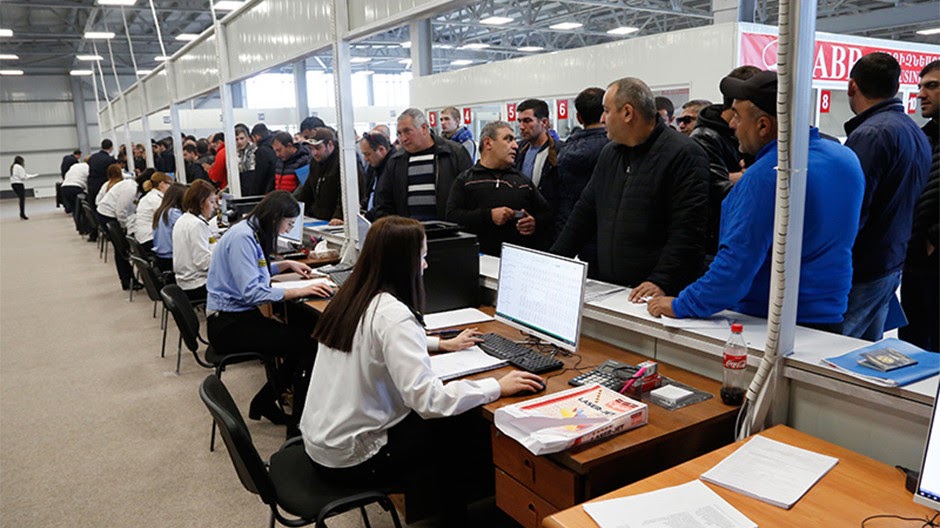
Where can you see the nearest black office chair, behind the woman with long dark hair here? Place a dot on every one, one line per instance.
(290, 481)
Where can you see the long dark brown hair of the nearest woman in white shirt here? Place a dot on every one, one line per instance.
(390, 262)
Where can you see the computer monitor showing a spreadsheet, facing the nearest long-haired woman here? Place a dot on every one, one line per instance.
(541, 294)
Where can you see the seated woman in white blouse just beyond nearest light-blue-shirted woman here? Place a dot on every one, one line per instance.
(194, 239)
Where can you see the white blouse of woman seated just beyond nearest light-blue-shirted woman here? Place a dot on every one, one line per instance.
(193, 243)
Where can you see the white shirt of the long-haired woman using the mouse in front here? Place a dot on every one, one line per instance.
(356, 397)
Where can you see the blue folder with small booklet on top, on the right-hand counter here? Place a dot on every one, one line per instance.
(889, 363)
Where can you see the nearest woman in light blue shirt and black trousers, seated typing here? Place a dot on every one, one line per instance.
(240, 281)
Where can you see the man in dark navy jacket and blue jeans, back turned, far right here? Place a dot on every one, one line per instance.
(895, 157)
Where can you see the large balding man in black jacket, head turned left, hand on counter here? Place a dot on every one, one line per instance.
(646, 200)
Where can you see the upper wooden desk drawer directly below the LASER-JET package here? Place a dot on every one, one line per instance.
(555, 484)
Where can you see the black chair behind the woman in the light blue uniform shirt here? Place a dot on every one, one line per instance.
(176, 302)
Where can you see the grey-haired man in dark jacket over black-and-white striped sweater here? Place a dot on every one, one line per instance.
(419, 176)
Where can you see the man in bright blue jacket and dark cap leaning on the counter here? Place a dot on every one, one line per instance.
(739, 277)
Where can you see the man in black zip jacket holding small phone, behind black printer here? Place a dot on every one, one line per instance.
(494, 200)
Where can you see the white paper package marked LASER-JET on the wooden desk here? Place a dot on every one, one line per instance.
(570, 418)
